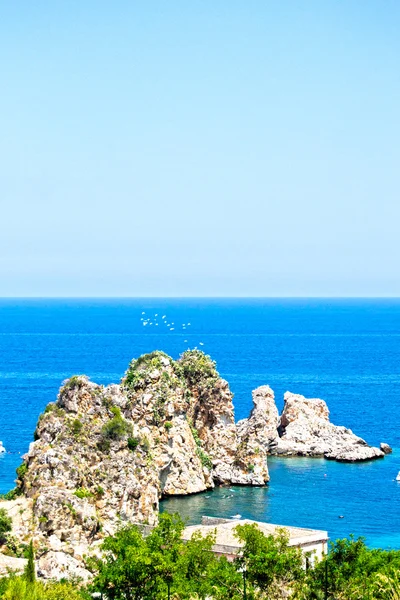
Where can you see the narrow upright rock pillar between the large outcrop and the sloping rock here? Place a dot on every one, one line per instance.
(258, 434)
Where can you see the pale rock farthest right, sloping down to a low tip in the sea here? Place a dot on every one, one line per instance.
(305, 430)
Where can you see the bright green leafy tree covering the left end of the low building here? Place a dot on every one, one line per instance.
(144, 568)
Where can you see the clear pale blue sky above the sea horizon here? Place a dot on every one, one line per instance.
(200, 148)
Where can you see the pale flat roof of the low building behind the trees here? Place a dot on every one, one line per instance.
(225, 532)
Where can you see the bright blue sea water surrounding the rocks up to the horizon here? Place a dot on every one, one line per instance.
(344, 351)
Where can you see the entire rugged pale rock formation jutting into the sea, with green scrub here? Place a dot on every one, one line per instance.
(104, 456)
